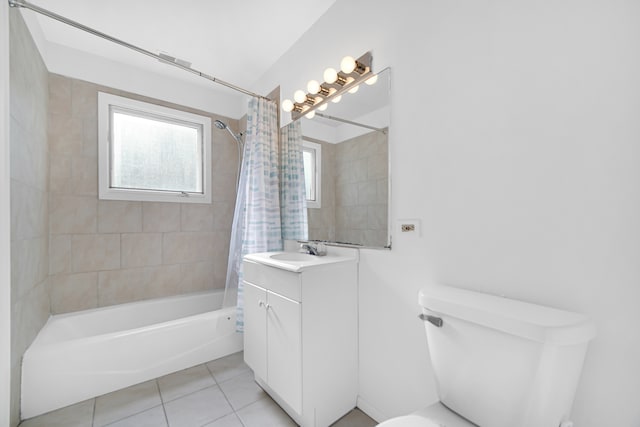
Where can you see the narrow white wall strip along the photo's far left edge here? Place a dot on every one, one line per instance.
(5, 226)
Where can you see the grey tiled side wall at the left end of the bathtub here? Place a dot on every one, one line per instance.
(29, 182)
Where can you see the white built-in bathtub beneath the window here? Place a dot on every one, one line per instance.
(77, 356)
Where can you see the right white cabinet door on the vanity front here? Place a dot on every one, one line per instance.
(284, 349)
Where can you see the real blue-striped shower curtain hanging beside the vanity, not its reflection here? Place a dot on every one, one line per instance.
(256, 221)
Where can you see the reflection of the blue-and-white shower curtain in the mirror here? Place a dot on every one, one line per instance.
(293, 201)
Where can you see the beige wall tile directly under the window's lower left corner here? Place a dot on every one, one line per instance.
(119, 216)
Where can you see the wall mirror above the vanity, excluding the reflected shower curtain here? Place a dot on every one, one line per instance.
(349, 143)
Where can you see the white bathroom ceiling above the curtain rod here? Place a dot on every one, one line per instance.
(236, 41)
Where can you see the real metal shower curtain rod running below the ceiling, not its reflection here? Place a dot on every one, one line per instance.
(52, 15)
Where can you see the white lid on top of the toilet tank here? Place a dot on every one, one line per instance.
(527, 320)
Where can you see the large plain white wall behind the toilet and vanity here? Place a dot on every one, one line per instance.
(515, 140)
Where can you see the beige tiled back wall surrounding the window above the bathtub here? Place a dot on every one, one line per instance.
(105, 252)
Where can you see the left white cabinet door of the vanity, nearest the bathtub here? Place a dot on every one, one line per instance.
(255, 329)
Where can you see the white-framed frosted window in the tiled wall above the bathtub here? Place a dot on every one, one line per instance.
(152, 153)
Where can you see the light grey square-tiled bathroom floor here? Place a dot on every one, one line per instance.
(220, 393)
